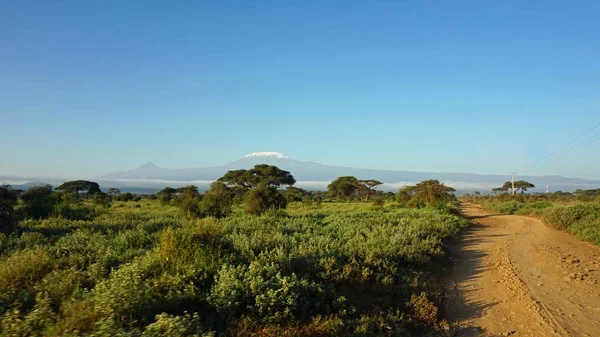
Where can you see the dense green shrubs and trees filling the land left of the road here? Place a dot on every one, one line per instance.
(243, 259)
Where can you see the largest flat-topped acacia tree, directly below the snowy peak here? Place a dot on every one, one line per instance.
(262, 174)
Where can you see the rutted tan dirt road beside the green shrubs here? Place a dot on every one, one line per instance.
(515, 276)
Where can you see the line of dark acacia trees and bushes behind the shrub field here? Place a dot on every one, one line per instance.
(256, 190)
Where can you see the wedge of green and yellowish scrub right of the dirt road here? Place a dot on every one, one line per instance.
(577, 213)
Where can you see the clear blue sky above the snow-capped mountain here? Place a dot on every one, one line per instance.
(92, 87)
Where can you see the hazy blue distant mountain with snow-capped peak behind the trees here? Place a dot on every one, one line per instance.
(315, 172)
